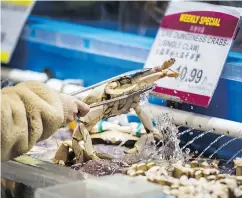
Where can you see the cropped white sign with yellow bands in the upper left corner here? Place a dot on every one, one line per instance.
(13, 16)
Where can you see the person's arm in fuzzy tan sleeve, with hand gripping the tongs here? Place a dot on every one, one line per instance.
(32, 112)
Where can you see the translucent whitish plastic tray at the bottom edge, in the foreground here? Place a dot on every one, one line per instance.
(119, 186)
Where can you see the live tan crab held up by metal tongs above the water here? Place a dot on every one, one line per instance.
(124, 85)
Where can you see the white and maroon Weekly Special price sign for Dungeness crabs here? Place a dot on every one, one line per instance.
(199, 37)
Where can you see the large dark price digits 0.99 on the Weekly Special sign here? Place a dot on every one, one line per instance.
(193, 75)
